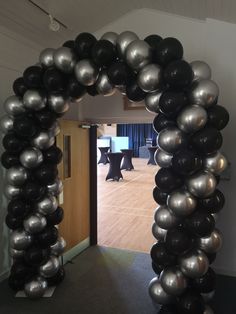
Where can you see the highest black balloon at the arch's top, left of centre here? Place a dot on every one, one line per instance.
(84, 43)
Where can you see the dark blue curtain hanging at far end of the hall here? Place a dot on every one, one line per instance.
(138, 134)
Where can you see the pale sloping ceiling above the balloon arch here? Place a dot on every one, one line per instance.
(24, 18)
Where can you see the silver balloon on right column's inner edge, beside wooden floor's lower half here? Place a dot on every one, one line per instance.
(165, 219)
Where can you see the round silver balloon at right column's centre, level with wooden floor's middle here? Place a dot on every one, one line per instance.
(181, 203)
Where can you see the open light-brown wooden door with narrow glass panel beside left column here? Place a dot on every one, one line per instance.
(74, 173)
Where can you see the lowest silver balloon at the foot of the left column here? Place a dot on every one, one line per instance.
(35, 288)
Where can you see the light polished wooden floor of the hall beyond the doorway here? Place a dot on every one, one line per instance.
(126, 208)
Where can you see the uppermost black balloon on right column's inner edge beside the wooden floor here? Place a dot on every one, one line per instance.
(167, 181)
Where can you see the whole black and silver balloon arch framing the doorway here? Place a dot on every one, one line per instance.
(188, 121)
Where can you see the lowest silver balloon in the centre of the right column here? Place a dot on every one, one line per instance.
(194, 264)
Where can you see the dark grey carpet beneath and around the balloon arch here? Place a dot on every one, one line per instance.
(106, 281)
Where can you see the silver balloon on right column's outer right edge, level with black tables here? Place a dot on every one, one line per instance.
(215, 163)
